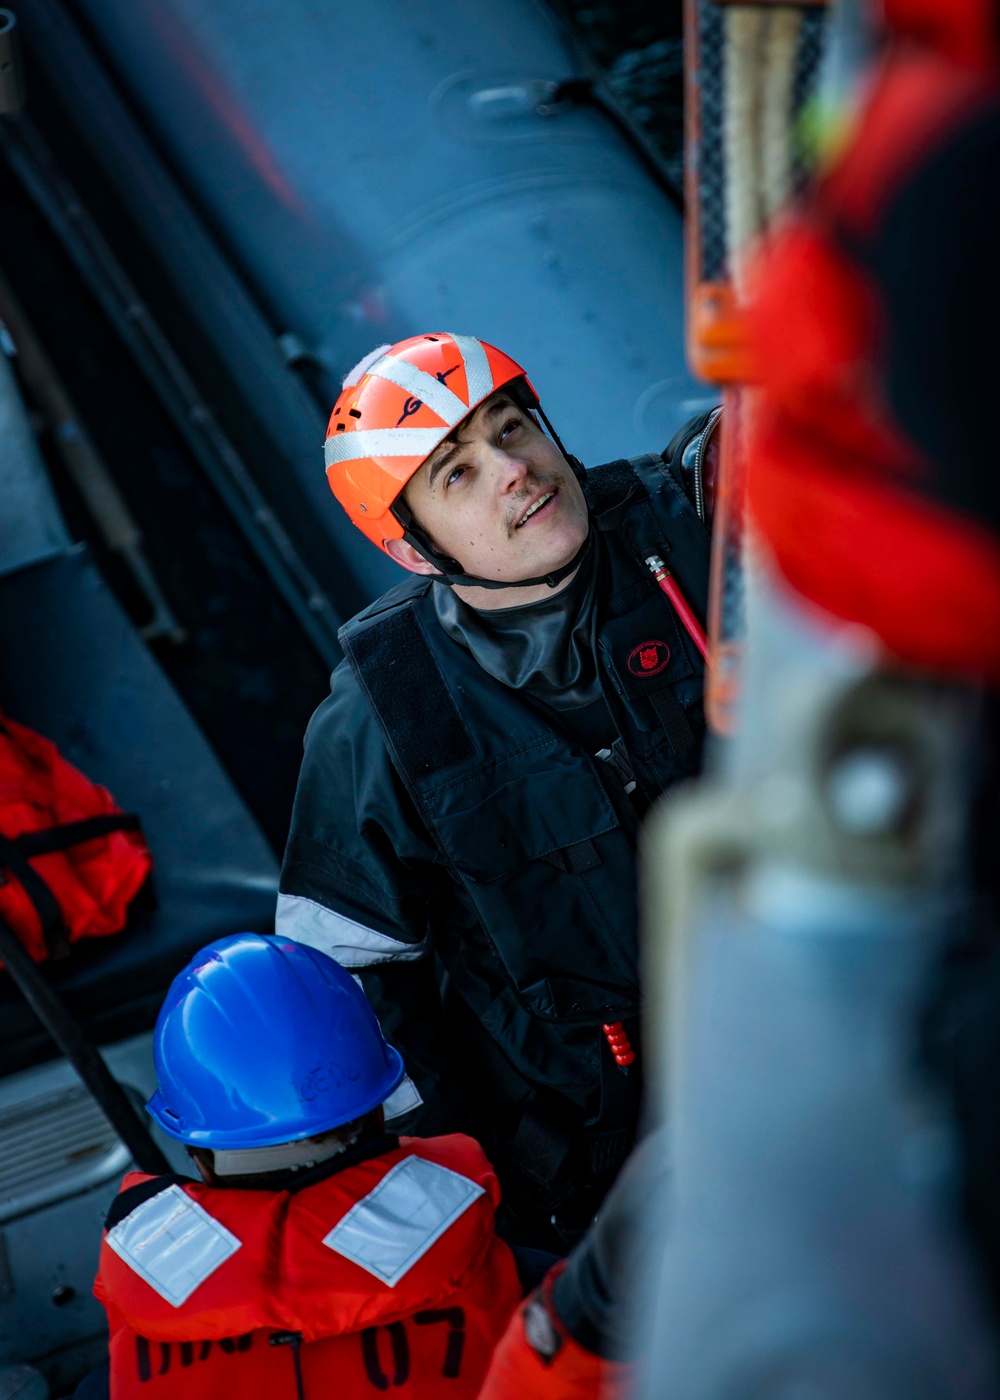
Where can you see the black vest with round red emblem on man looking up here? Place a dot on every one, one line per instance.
(539, 832)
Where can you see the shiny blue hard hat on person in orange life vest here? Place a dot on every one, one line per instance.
(264, 1041)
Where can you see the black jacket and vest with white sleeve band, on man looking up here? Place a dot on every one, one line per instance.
(442, 813)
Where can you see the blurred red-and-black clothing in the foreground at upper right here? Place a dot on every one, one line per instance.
(872, 468)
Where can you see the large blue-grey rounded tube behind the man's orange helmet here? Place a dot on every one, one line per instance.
(398, 167)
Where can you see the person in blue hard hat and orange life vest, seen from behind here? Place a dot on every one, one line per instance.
(314, 1248)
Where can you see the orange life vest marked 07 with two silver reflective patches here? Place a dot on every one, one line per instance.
(384, 1276)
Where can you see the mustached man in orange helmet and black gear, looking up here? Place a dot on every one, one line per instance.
(467, 815)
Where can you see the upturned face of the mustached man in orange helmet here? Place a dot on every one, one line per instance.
(502, 499)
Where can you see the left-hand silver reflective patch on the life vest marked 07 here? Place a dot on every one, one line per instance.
(173, 1244)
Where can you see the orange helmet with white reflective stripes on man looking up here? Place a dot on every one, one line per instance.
(397, 407)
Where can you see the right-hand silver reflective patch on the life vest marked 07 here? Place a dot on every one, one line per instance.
(398, 1221)
